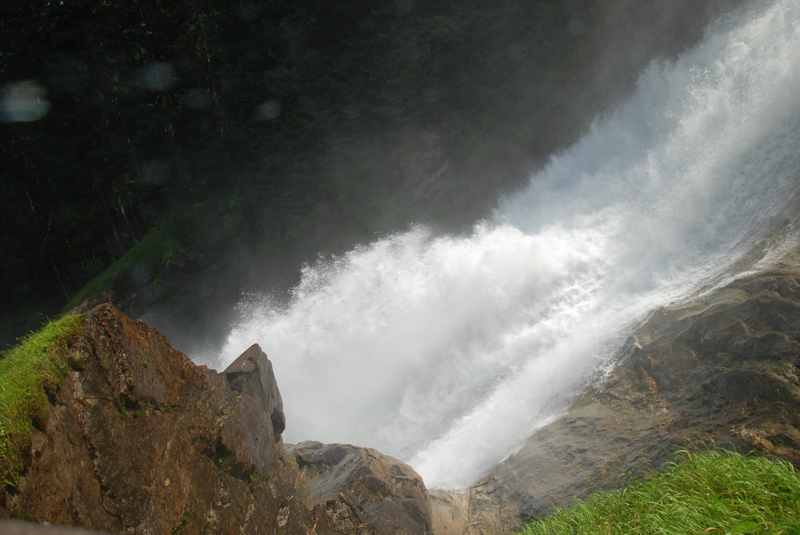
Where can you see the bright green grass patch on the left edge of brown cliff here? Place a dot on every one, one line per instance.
(24, 370)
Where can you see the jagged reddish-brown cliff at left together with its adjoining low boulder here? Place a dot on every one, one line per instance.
(138, 439)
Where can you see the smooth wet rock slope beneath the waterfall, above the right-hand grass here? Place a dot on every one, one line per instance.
(720, 371)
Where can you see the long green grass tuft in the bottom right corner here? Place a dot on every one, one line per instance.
(709, 493)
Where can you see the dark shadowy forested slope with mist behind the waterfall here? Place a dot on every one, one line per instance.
(193, 150)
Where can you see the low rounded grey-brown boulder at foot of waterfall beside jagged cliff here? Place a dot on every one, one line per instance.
(359, 490)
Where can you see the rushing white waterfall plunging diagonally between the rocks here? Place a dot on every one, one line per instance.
(449, 351)
